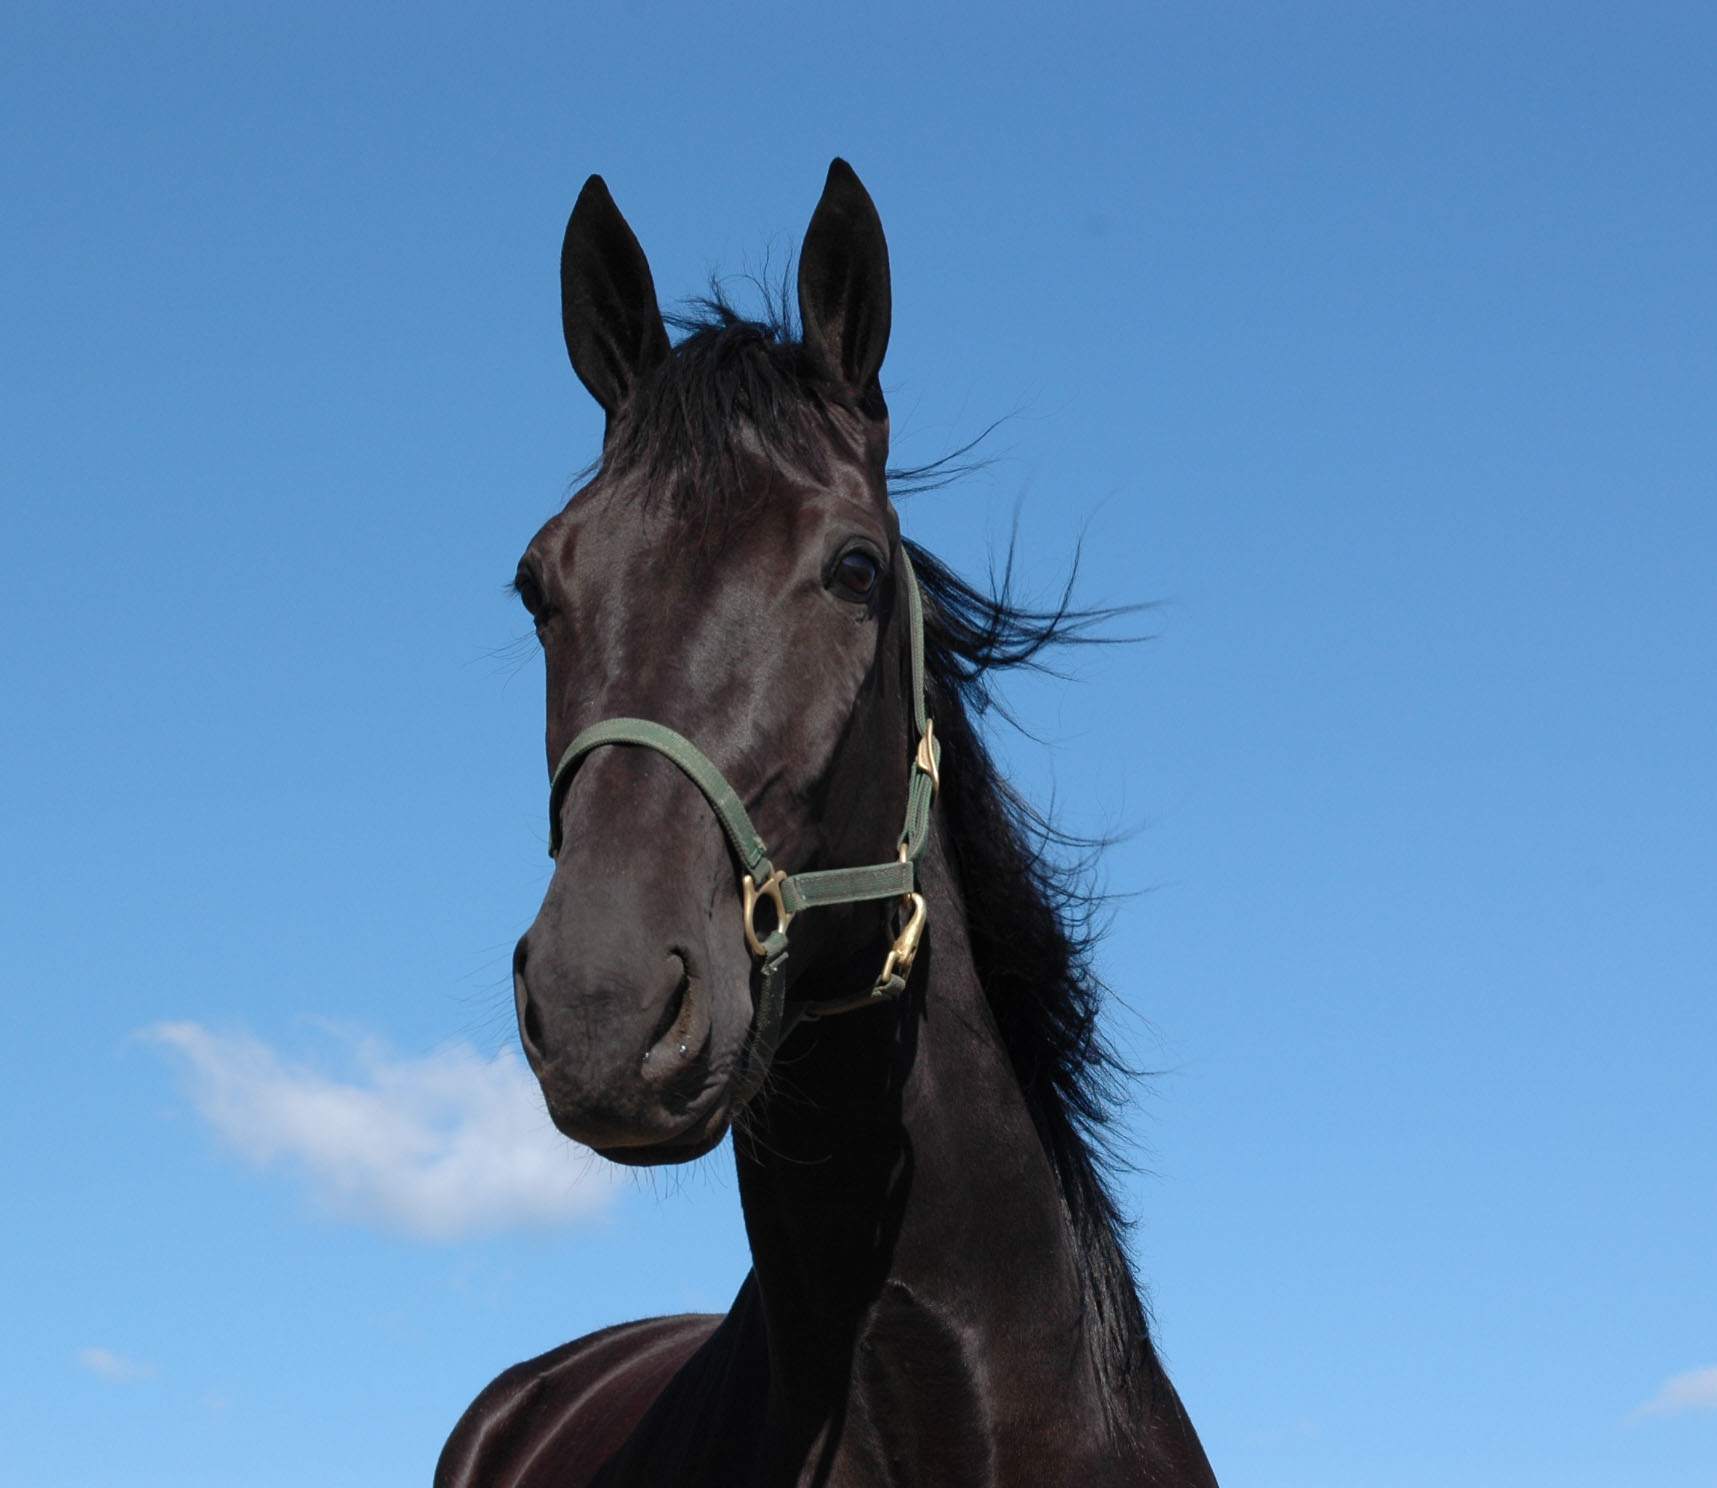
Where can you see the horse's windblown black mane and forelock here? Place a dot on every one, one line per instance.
(1033, 916)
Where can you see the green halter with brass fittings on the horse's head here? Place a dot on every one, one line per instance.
(792, 893)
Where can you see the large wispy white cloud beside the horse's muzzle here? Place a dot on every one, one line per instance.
(439, 1147)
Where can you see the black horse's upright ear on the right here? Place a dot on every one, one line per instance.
(844, 298)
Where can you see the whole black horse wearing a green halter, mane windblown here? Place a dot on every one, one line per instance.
(749, 665)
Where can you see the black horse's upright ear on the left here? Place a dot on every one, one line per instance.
(609, 301)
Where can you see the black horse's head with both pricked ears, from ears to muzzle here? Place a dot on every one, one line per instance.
(732, 578)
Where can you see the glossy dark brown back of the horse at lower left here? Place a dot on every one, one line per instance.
(559, 1418)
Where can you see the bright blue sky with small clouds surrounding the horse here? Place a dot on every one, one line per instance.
(1378, 346)
